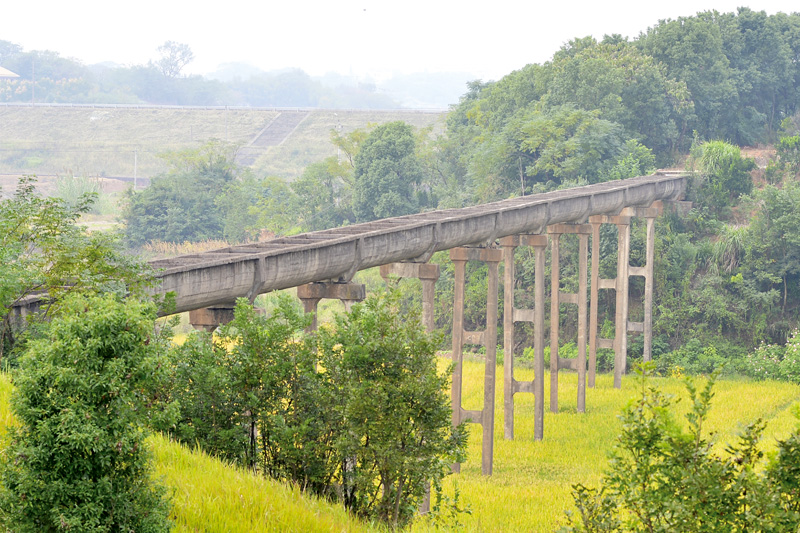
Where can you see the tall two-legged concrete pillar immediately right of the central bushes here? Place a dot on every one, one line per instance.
(488, 338)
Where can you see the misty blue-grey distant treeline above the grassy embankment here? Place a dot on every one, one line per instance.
(45, 76)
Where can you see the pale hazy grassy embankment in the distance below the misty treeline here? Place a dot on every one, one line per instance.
(120, 141)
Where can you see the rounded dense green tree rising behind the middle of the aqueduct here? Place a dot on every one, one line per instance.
(386, 173)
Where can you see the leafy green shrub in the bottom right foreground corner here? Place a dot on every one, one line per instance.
(664, 478)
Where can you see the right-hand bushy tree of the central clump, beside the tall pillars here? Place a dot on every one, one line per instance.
(390, 408)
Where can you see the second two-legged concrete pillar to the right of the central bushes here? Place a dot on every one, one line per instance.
(511, 315)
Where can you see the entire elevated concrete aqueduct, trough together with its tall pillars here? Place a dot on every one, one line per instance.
(322, 264)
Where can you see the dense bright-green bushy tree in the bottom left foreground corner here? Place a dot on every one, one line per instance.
(78, 459)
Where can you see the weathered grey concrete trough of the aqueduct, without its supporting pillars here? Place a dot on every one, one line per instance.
(219, 277)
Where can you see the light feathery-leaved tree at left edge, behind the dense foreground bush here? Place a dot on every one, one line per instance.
(43, 251)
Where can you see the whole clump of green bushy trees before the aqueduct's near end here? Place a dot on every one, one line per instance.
(358, 412)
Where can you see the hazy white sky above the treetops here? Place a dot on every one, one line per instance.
(487, 39)
